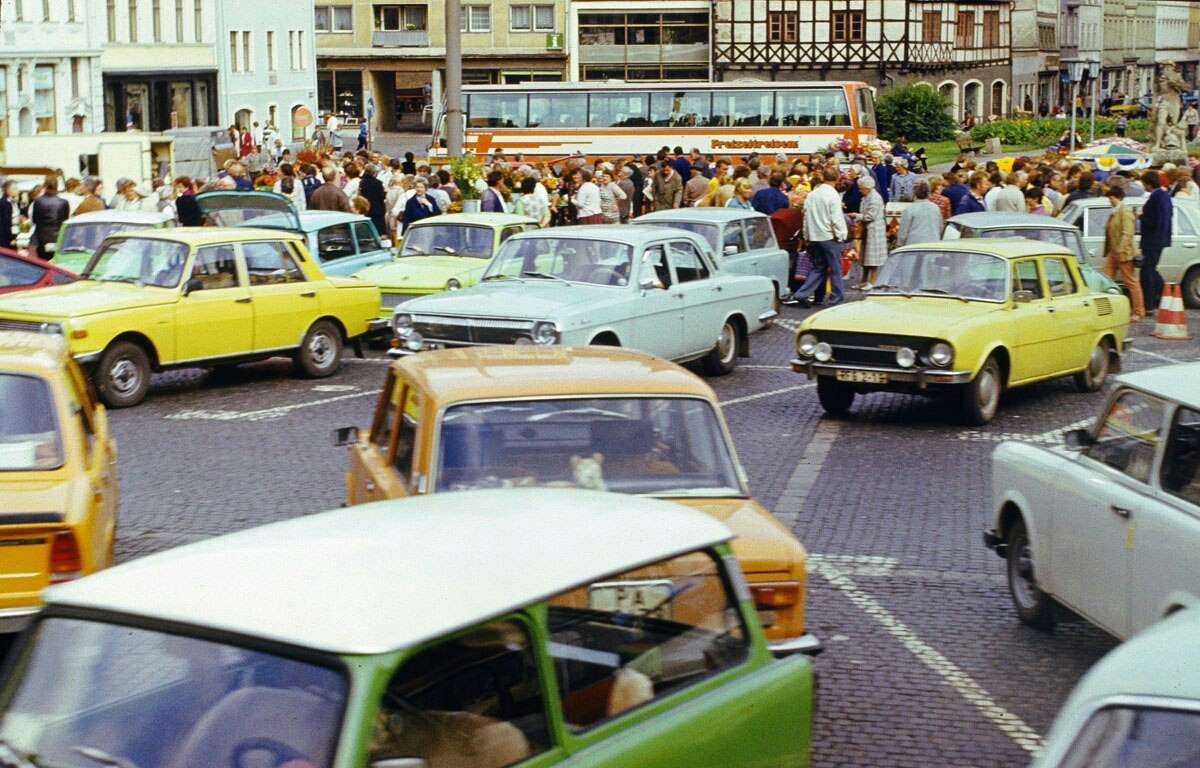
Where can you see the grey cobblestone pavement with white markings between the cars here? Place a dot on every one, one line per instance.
(926, 662)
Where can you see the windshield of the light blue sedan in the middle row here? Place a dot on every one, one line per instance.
(572, 260)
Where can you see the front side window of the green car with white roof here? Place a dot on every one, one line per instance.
(481, 691)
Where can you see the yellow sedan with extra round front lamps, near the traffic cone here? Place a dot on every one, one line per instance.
(968, 319)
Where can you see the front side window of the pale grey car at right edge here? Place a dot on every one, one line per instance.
(1131, 435)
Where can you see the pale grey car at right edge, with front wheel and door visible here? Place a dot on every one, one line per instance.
(1109, 524)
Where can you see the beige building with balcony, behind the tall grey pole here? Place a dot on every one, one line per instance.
(389, 59)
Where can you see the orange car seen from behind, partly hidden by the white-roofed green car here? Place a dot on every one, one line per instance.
(598, 418)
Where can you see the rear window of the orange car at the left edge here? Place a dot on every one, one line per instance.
(29, 430)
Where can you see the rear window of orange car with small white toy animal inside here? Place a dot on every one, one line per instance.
(662, 447)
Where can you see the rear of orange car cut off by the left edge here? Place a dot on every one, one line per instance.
(58, 475)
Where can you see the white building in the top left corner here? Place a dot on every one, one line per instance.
(50, 68)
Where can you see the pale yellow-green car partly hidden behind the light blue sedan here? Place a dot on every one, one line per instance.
(442, 254)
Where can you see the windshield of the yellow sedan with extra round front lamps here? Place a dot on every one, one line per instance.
(956, 274)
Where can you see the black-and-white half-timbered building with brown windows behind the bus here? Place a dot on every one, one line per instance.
(961, 49)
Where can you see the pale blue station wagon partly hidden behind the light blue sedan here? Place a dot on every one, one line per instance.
(745, 242)
